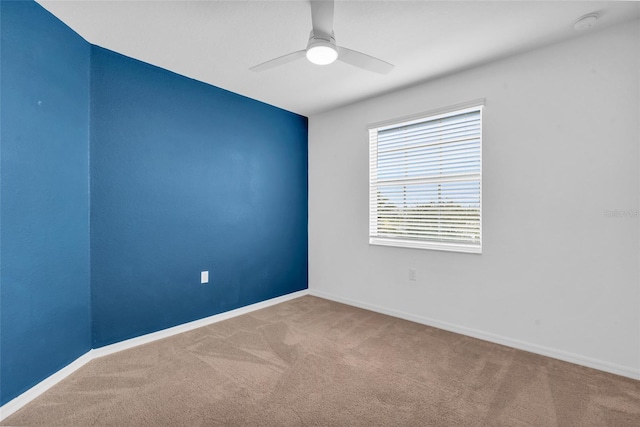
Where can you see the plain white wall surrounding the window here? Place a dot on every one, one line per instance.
(561, 146)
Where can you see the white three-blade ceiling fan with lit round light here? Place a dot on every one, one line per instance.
(322, 49)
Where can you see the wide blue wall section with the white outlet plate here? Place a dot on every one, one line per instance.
(187, 177)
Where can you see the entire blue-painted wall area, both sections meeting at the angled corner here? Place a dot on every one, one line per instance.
(183, 177)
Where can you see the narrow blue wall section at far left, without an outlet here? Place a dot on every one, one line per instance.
(45, 318)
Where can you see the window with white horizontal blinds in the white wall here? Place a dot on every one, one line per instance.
(425, 186)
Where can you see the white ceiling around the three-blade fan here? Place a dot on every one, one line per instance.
(217, 41)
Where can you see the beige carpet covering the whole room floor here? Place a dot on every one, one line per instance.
(312, 362)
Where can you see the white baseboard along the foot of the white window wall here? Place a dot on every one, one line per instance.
(577, 359)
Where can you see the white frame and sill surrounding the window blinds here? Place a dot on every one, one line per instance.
(459, 109)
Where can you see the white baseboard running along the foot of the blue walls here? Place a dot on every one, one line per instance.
(18, 402)
